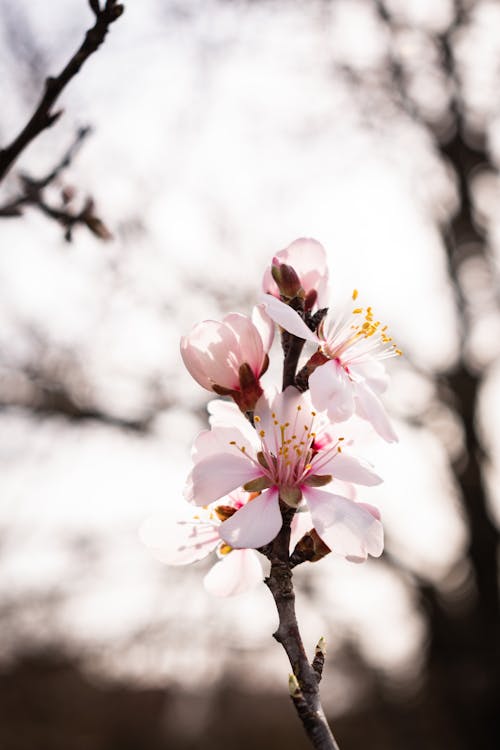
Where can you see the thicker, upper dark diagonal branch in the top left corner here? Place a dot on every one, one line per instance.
(44, 115)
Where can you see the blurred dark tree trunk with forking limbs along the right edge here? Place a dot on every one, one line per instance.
(463, 661)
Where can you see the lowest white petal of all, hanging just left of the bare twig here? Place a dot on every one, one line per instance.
(237, 572)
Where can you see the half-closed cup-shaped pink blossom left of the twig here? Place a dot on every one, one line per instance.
(229, 356)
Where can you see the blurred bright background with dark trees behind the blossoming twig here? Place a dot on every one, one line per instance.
(221, 131)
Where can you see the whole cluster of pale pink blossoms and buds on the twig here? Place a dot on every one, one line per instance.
(269, 453)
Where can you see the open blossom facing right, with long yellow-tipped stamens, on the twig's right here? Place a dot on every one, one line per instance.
(346, 374)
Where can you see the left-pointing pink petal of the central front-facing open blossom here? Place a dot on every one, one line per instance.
(217, 475)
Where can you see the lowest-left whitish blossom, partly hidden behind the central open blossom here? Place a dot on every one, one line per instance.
(194, 535)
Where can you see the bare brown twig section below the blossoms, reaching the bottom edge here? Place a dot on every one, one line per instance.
(305, 696)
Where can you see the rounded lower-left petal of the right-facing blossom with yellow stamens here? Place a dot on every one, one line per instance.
(331, 391)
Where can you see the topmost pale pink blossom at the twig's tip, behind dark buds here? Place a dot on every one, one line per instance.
(308, 259)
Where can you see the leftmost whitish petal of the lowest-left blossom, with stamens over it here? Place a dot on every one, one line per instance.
(179, 541)
